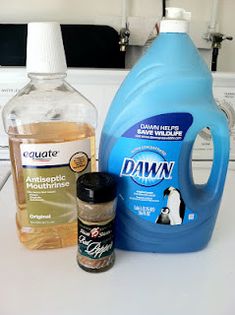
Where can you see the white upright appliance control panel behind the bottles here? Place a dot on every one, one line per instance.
(100, 86)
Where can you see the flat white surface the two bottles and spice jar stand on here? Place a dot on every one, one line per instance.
(50, 282)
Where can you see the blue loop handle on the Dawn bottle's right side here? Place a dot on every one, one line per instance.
(199, 196)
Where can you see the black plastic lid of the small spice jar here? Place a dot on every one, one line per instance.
(96, 187)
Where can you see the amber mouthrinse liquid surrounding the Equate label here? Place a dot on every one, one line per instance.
(49, 236)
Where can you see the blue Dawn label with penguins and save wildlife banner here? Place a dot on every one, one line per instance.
(147, 158)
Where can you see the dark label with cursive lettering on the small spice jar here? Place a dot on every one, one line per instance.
(95, 241)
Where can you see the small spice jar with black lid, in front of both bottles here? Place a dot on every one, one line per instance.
(96, 194)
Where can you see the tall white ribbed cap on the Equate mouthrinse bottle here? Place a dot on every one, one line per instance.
(45, 50)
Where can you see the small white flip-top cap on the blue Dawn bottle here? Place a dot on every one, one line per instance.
(176, 21)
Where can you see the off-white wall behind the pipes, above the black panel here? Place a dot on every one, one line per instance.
(85, 11)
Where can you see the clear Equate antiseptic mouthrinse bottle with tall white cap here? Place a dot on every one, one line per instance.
(51, 130)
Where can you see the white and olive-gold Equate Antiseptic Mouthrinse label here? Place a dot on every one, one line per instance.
(50, 172)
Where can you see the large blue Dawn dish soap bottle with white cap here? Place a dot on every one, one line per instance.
(147, 140)
